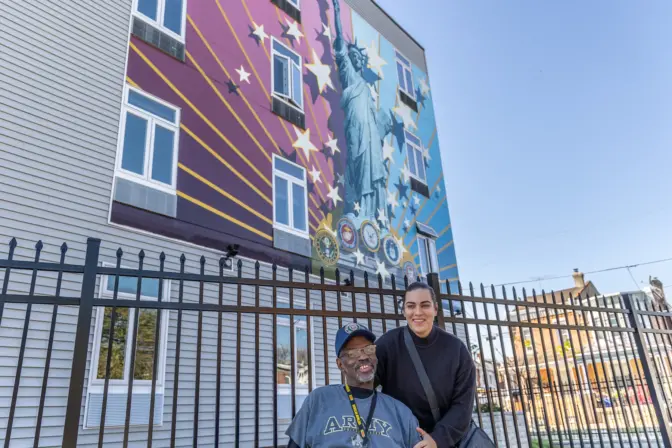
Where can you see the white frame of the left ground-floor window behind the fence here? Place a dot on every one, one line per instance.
(116, 386)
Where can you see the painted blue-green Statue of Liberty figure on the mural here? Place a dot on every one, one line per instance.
(365, 129)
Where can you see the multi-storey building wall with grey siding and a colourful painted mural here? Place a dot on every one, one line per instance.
(288, 131)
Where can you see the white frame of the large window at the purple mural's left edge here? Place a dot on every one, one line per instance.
(152, 121)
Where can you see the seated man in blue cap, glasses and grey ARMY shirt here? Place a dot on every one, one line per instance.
(353, 415)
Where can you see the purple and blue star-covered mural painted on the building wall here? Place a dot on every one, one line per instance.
(363, 148)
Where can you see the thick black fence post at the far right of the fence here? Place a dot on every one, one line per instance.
(654, 387)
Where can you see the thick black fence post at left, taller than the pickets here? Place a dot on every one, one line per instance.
(76, 389)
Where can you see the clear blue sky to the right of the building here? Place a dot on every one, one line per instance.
(555, 121)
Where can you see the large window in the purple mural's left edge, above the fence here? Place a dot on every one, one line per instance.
(149, 141)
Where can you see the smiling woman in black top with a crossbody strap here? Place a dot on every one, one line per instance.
(446, 360)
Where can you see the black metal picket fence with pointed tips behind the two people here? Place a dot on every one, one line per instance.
(224, 357)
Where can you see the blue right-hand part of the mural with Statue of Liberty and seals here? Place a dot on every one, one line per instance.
(390, 146)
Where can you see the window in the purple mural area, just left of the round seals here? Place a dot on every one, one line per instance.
(290, 210)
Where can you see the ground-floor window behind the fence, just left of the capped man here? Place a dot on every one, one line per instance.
(284, 361)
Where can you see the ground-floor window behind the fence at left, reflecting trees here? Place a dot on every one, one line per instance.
(122, 345)
